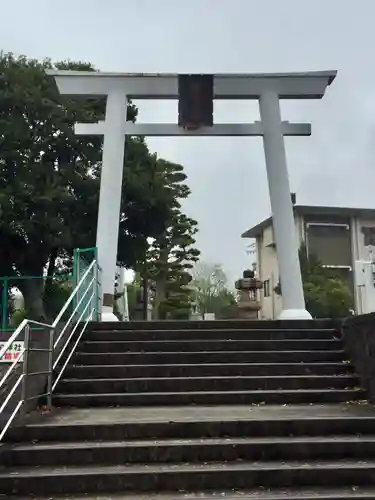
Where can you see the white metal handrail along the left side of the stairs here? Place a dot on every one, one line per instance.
(94, 301)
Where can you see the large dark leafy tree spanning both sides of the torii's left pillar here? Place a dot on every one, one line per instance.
(49, 179)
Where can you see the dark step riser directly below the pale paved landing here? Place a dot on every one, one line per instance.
(198, 429)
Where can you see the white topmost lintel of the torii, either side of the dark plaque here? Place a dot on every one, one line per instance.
(310, 85)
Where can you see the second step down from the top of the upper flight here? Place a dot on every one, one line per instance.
(209, 334)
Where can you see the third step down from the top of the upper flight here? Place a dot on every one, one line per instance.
(210, 345)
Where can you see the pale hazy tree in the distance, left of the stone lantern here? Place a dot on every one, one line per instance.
(211, 291)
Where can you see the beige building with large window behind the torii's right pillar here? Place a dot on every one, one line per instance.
(338, 236)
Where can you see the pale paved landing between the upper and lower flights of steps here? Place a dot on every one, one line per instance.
(202, 413)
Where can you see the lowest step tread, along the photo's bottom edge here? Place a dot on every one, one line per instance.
(351, 492)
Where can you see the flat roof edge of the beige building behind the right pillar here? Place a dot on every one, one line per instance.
(255, 231)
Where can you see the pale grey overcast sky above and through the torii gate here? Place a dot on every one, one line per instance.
(335, 166)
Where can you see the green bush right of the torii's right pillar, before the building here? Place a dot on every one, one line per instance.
(326, 294)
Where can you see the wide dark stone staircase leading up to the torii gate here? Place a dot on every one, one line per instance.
(168, 410)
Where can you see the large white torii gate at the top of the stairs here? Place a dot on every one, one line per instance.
(266, 88)
